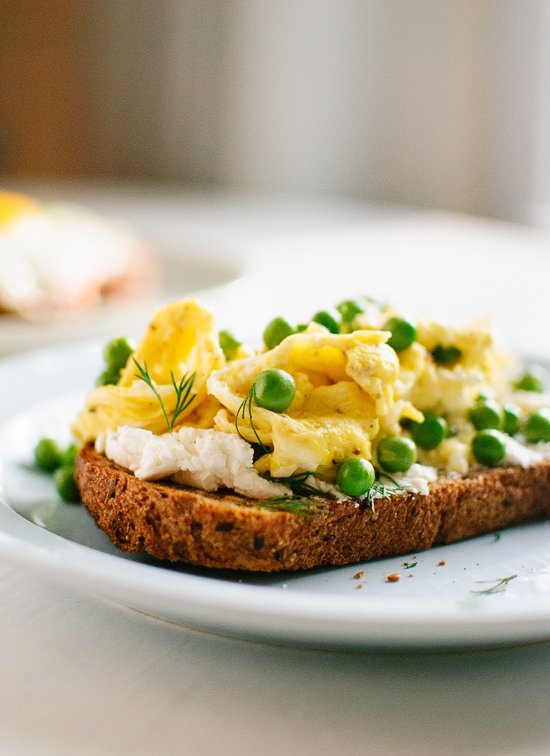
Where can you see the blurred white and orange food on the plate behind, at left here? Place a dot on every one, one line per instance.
(58, 258)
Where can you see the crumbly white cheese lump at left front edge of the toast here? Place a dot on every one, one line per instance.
(205, 459)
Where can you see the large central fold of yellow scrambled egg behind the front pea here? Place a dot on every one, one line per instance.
(344, 391)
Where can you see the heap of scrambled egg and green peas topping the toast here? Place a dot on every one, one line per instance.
(368, 393)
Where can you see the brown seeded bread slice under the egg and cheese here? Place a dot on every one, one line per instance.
(228, 531)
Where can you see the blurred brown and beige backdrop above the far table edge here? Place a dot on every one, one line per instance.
(431, 103)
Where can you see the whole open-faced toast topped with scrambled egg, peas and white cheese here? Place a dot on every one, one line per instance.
(356, 435)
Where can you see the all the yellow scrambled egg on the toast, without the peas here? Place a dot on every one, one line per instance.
(352, 389)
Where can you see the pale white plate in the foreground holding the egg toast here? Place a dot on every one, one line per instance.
(432, 605)
